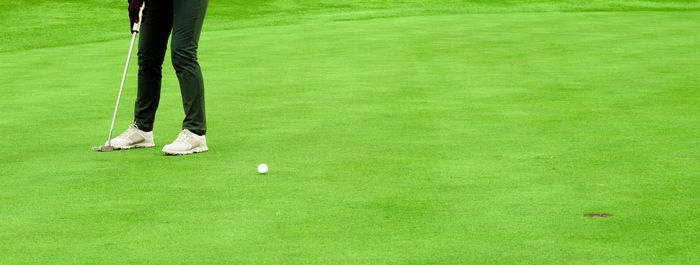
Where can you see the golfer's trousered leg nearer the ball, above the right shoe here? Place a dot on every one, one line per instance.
(188, 17)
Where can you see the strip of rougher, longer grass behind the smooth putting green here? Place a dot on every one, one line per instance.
(45, 23)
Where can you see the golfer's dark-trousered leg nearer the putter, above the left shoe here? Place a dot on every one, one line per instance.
(153, 42)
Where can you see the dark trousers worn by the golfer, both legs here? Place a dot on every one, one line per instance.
(184, 19)
